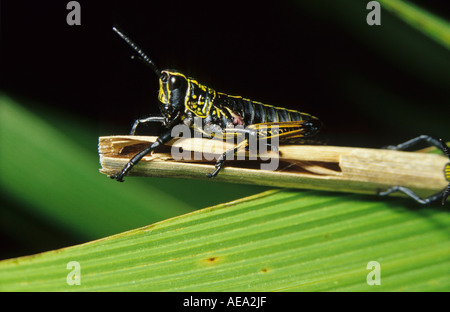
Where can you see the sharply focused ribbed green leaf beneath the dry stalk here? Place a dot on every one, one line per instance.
(275, 241)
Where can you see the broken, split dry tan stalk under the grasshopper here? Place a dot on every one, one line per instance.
(332, 168)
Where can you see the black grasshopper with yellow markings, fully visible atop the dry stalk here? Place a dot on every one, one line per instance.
(182, 99)
